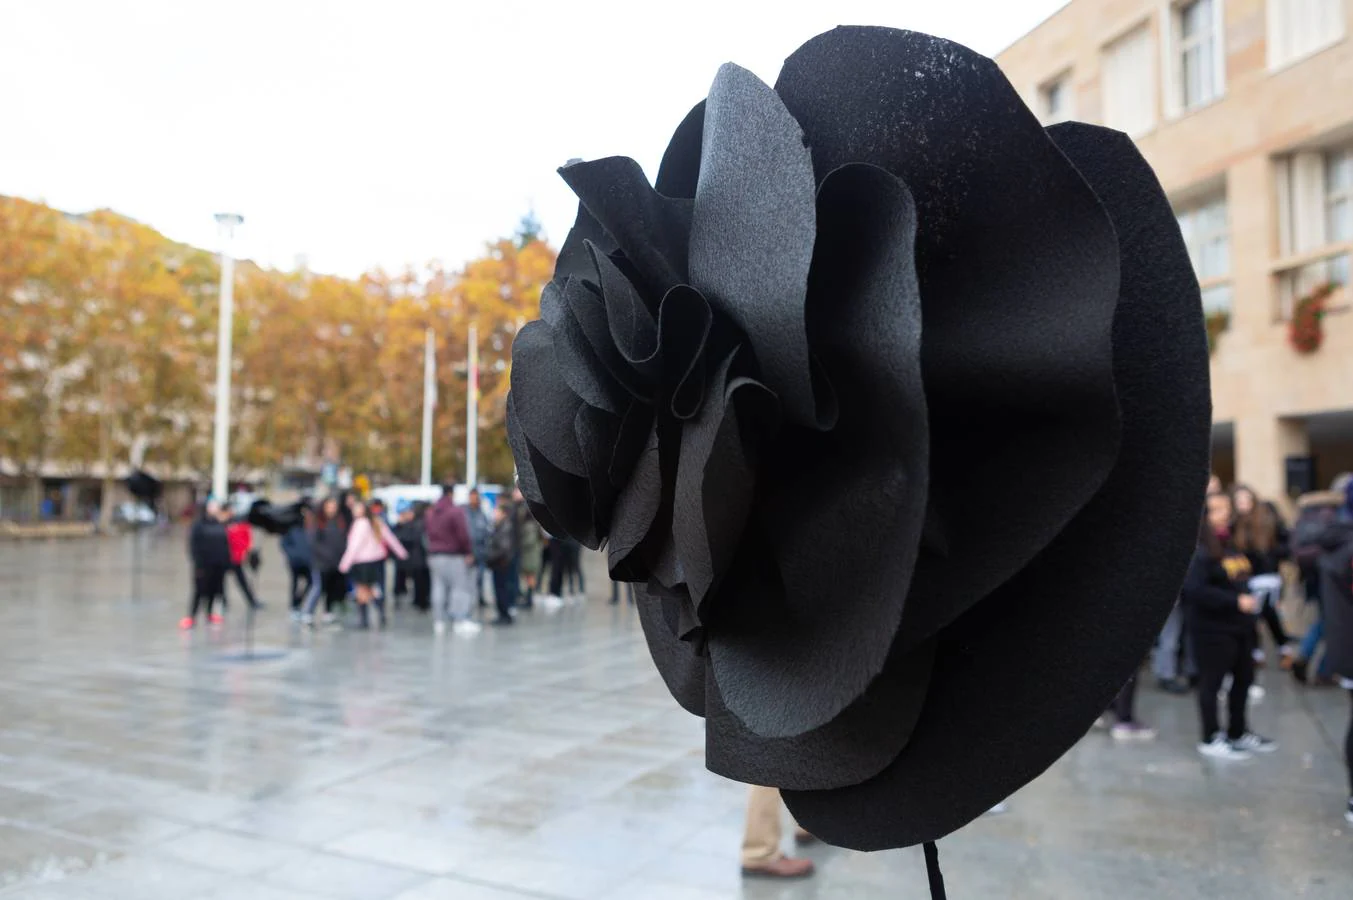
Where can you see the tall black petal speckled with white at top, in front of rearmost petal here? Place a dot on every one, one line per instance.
(1018, 275)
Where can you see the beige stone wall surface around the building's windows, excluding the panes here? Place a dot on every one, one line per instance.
(1259, 382)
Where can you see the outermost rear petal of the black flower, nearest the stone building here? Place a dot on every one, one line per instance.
(1024, 676)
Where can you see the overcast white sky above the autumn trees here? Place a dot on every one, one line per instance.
(366, 133)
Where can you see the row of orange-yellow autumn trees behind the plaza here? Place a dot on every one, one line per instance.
(109, 343)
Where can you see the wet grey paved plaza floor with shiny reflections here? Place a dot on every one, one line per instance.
(543, 761)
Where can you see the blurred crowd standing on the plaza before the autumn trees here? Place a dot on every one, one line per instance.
(457, 564)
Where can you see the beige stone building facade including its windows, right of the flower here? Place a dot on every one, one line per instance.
(1245, 110)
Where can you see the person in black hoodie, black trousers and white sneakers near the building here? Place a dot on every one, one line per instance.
(1222, 616)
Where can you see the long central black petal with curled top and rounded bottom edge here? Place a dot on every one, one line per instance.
(845, 508)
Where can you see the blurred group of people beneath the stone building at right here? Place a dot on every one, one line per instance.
(1247, 562)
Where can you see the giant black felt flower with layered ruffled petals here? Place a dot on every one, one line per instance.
(898, 407)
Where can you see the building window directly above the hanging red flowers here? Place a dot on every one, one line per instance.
(1316, 221)
